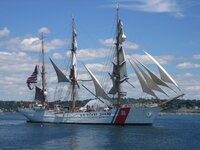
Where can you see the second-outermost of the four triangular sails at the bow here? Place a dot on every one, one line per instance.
(155, 78)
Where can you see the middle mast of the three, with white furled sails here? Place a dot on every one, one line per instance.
(73, 70)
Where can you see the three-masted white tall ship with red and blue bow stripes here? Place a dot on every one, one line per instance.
(110, 110)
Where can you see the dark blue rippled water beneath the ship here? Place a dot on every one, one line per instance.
(169, 132)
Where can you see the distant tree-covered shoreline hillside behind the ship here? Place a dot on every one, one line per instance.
(174, 107)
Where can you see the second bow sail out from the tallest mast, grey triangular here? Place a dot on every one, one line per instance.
(151, 84)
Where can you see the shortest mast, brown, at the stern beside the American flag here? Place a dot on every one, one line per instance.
(43, 71)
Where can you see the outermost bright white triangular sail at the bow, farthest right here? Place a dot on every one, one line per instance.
(163, 73)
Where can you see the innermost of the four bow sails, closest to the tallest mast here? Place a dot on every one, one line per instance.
(143, 84)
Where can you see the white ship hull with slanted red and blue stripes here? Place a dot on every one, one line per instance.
(116, 116)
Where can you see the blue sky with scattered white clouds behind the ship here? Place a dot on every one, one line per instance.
(167, 29)
